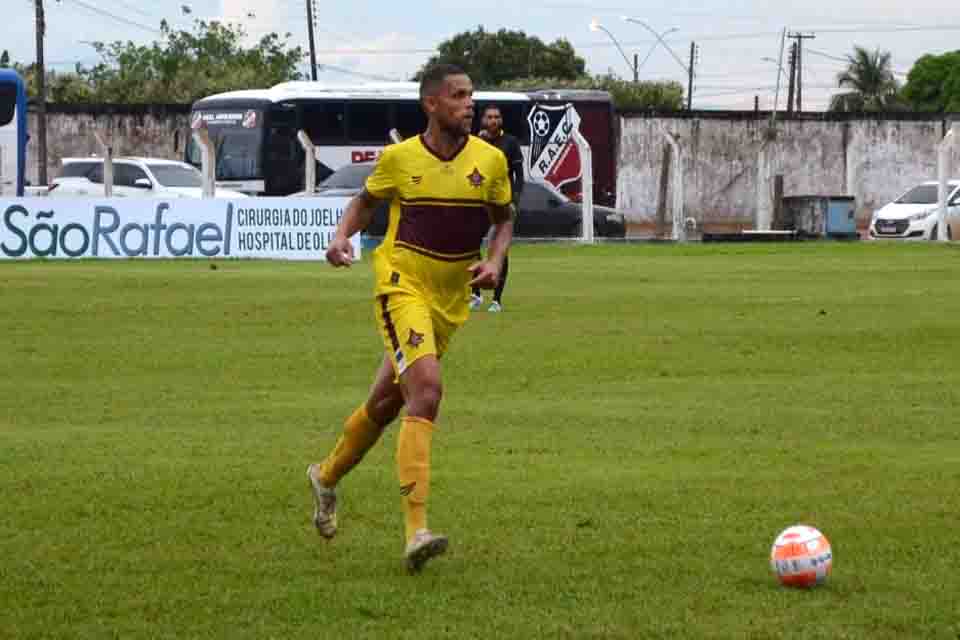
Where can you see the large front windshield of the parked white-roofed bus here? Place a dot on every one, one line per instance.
(237, 139)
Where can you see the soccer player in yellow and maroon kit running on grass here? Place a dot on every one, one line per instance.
(446, 188)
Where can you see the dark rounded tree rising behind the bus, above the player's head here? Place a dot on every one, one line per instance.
(493, 58)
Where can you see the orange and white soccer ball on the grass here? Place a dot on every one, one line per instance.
(801, 557)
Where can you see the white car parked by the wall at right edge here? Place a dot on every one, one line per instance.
(913, 216)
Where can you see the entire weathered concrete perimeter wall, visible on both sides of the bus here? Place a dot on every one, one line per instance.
(873, 159)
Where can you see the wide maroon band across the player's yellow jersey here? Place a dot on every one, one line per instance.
(453, 230)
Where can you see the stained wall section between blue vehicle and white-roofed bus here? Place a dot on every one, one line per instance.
(155, 131)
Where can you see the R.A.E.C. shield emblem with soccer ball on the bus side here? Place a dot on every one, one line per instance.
(554, 157)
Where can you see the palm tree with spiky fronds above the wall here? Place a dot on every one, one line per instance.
(870, 80)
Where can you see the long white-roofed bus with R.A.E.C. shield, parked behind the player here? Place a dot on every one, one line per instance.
(257, 151)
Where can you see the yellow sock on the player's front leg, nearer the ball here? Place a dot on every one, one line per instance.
(413, 468)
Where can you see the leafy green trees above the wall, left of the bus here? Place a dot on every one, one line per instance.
(183, 66)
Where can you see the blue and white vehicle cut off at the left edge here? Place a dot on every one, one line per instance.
(13, 133)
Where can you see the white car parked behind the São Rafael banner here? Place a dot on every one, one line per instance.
(132, 178)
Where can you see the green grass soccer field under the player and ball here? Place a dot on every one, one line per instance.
(615, 453)
